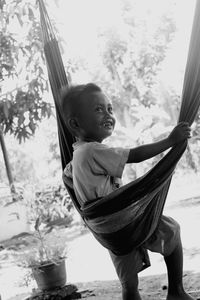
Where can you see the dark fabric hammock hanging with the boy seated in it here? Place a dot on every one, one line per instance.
(154, 184)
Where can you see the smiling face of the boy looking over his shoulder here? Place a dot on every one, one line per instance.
(95, 117)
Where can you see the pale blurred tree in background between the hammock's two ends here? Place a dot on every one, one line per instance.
(132, 57)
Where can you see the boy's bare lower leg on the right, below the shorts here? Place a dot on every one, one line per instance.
(174, 263)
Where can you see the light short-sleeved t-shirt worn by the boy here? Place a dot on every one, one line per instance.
(96, 169)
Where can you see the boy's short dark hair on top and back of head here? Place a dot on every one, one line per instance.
(73, 94)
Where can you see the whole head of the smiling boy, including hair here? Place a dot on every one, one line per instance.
(88, 112)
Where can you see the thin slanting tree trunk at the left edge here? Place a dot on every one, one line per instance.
(7, 164)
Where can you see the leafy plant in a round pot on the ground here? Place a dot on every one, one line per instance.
(47, 260)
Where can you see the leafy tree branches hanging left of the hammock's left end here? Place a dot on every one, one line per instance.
(21, 61)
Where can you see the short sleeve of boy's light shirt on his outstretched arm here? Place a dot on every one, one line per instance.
(109, 160)
